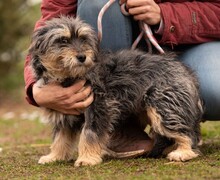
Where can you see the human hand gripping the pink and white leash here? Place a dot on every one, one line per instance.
(144, 10)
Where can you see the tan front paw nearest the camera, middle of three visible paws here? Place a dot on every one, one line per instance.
(87, 161)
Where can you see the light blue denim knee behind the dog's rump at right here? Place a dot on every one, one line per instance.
(204, 59)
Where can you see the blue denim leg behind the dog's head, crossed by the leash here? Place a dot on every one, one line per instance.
(117, 28)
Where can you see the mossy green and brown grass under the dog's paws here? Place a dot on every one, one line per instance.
(24, 141)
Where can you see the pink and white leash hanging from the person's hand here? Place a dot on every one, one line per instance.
(145, 29)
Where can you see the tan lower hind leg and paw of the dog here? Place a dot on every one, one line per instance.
(183, 143)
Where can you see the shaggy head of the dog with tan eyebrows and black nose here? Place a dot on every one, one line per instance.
(63, 47)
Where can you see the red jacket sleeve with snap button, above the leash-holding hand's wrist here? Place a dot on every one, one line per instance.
(190, 22)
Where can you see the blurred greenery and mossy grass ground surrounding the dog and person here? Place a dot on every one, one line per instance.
(24, 138)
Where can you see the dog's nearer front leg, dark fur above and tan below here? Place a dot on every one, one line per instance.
(93, 138)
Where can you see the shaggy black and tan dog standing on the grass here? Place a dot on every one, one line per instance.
(156, 89)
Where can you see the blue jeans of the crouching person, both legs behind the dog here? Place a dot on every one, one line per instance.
(118, 33)
